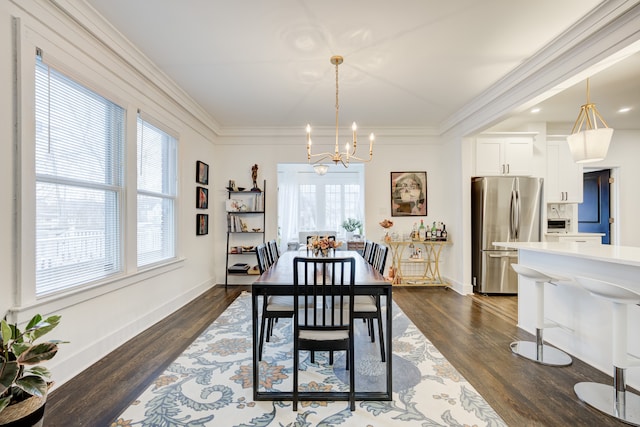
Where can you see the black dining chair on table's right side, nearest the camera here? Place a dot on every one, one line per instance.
(368, 307)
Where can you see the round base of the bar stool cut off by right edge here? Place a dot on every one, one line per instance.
(601, 397)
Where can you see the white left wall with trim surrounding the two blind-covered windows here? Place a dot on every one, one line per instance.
(95, 321)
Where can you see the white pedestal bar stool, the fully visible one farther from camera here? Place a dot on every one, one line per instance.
(538, 351)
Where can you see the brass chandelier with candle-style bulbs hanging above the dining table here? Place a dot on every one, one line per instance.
(349, 153)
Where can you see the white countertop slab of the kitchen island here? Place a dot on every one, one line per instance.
(627, 255)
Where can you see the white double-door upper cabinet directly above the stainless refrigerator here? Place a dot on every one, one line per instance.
(504, 154)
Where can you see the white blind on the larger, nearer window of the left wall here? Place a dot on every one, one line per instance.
(78, 164)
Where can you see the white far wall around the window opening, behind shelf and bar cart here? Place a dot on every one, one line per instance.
(391, 153)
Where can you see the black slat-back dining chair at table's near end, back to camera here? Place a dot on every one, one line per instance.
(327, 325)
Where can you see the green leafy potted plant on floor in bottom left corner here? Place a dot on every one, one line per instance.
(23, 383)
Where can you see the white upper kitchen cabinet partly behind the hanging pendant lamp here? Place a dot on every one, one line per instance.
(564, 176)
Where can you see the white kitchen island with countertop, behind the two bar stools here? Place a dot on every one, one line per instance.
(586, 320)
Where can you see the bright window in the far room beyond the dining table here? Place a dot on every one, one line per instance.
(310, 202)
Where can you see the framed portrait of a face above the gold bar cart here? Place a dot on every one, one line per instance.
(408, 194)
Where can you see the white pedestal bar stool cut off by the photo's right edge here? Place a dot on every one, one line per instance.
(613, 400)
